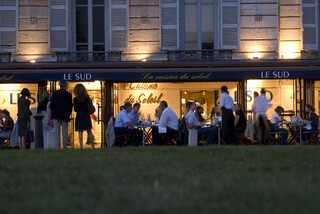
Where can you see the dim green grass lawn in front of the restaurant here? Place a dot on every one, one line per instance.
(226, 179)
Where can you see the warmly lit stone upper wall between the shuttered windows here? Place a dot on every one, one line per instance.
(269, 29)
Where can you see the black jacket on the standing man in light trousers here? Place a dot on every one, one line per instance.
(61, 105)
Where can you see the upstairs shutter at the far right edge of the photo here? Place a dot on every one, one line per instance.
(310, 24)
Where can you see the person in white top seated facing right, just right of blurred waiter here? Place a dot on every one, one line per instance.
(276, 122)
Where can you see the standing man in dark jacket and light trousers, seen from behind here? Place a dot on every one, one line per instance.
(61, 108)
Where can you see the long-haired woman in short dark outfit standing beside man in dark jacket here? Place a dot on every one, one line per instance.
(83, 120)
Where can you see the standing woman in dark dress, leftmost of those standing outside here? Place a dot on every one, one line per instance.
(24, 114)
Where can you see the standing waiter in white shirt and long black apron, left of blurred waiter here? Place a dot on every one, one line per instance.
(226, 105)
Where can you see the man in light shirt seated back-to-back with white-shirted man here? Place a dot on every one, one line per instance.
(193, 122)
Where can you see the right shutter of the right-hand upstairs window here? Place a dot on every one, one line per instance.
(229, 26)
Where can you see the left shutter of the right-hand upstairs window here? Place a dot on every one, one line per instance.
(169, 25)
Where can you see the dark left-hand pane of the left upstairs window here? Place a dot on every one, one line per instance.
(82, 24)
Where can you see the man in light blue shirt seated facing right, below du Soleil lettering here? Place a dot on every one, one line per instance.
(123, 125)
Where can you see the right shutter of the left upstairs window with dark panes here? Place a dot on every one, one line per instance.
(118, 22)
